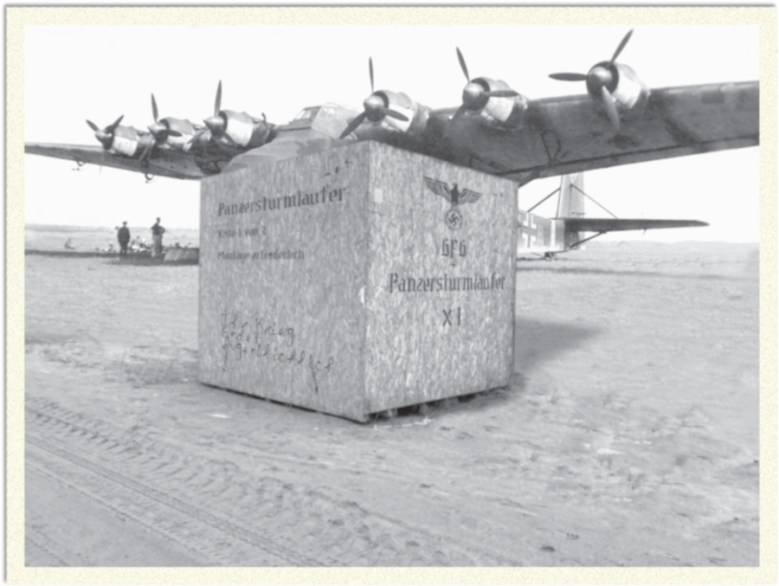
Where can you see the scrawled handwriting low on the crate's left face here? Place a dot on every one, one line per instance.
(262, 339)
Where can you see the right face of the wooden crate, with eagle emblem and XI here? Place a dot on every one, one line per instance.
(441, 280)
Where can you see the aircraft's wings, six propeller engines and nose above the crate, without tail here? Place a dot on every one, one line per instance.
(495, 129)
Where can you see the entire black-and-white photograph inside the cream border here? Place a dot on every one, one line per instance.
(387, 296)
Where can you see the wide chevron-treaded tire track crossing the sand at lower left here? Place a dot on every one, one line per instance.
(331, 531)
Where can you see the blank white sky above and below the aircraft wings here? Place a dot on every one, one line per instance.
(100, 72)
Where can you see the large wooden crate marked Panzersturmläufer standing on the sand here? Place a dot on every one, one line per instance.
(350, 282)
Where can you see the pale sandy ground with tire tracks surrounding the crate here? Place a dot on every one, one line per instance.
(629, 435)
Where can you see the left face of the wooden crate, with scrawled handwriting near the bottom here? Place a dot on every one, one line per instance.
(282, 281)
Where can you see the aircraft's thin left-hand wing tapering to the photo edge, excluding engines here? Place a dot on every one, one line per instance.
(165, 163)
